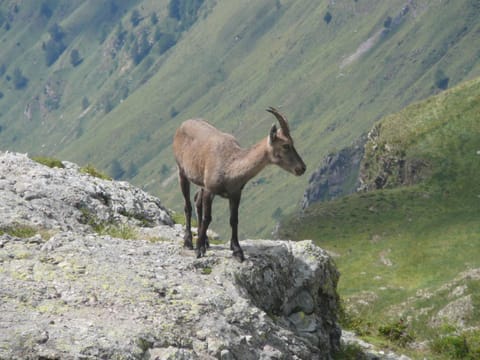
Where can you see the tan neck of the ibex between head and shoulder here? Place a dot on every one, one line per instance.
(249, 162)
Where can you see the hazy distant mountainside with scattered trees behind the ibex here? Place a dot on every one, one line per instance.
(107, 83)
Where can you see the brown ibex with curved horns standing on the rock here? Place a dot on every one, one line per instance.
(215, 161)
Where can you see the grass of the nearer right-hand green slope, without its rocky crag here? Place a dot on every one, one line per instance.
(429, 232)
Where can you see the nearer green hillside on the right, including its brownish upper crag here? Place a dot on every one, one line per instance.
(409, 250)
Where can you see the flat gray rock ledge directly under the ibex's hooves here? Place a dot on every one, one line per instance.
(88, 295)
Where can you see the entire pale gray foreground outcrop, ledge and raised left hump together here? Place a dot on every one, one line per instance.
(68, 292)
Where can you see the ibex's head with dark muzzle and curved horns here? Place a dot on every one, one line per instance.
(281, 149)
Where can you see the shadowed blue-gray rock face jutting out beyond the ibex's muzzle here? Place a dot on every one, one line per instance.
(337, 176)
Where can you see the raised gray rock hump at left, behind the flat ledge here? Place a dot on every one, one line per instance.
(67, 199)
